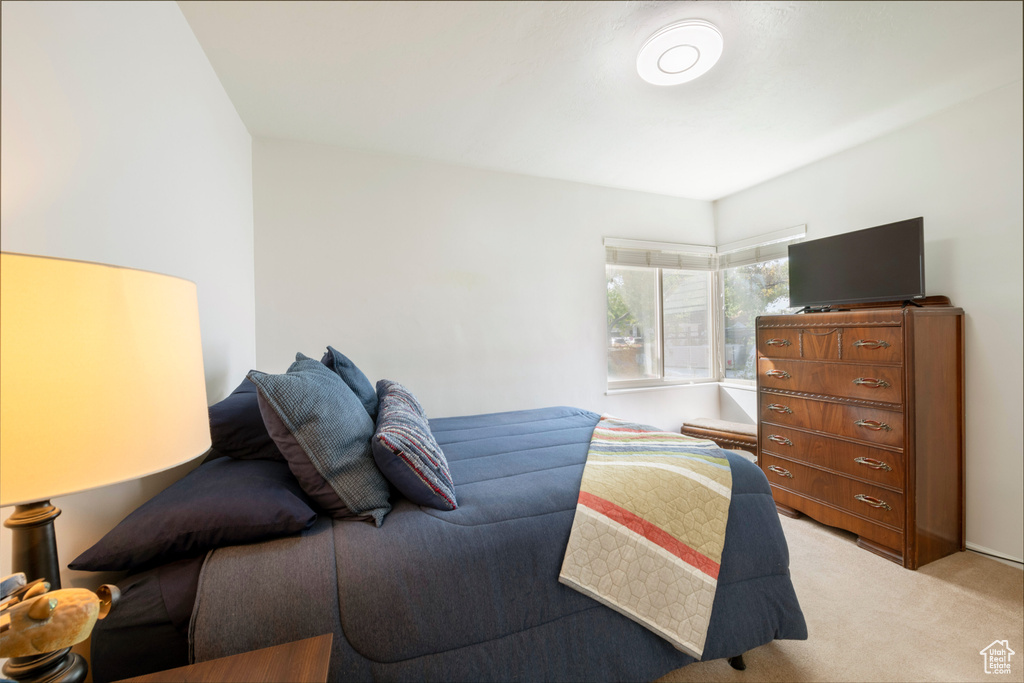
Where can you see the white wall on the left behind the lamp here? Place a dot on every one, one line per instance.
(120, 146)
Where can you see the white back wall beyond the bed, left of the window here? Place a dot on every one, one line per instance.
(481, 291)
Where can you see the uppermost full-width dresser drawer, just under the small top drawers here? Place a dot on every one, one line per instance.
(881, 383)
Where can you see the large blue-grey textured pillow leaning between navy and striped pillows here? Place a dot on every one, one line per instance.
(324, 433)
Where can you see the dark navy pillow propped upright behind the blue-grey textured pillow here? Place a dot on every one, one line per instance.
(237, 428)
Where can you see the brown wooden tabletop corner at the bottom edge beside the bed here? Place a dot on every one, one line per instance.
(301, 662)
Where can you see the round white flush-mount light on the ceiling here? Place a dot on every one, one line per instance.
(680, 53)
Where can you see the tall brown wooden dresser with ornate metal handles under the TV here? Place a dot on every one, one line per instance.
(862, 424)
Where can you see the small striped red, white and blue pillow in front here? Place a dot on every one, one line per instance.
(406, 451)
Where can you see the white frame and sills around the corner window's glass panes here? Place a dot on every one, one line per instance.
(659, 257)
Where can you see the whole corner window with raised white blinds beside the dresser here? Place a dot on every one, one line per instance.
(679, 314)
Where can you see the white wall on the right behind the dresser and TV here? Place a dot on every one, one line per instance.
(962, 170)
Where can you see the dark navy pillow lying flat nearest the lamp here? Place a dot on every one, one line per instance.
(222, 503)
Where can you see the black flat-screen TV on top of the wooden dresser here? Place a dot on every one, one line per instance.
(884, 264)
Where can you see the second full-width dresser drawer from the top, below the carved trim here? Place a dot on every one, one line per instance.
(867, 424)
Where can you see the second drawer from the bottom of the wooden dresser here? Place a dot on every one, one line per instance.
(864, 462)
